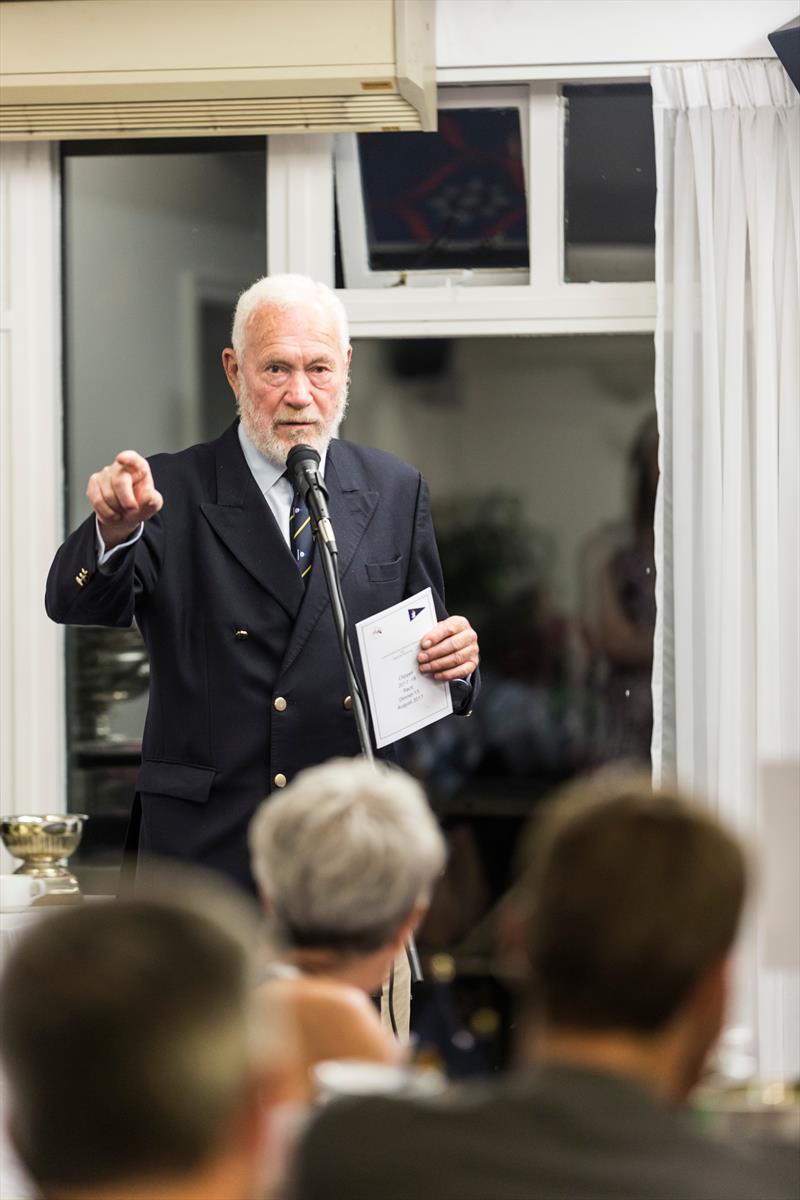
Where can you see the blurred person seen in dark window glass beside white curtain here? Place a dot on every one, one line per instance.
(618, 585)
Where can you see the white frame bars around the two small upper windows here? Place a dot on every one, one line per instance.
(304, 235)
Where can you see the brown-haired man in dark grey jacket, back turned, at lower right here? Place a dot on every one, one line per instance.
(625, 915)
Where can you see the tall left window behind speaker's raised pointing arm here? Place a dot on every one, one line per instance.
(159, 241)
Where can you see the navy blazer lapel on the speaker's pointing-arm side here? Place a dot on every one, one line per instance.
(243, 520)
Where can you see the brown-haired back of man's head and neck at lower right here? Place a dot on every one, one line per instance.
(634, 902)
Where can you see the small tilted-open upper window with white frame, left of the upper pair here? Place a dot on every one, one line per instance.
(417, 207)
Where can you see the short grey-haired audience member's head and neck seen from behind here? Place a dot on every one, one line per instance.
(346, 860)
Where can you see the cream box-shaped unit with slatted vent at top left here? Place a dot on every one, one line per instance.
(140, 69)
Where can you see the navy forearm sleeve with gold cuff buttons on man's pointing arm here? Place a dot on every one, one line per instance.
(82, 593)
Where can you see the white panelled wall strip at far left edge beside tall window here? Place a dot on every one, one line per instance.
(33, 758)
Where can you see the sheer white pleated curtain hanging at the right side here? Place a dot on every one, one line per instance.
(727, 649)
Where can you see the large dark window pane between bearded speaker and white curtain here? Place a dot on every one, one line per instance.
(542, 459)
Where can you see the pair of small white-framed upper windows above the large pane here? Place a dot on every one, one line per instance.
(432, 229)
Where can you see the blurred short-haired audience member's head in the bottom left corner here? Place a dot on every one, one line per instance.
(136, 1063)
